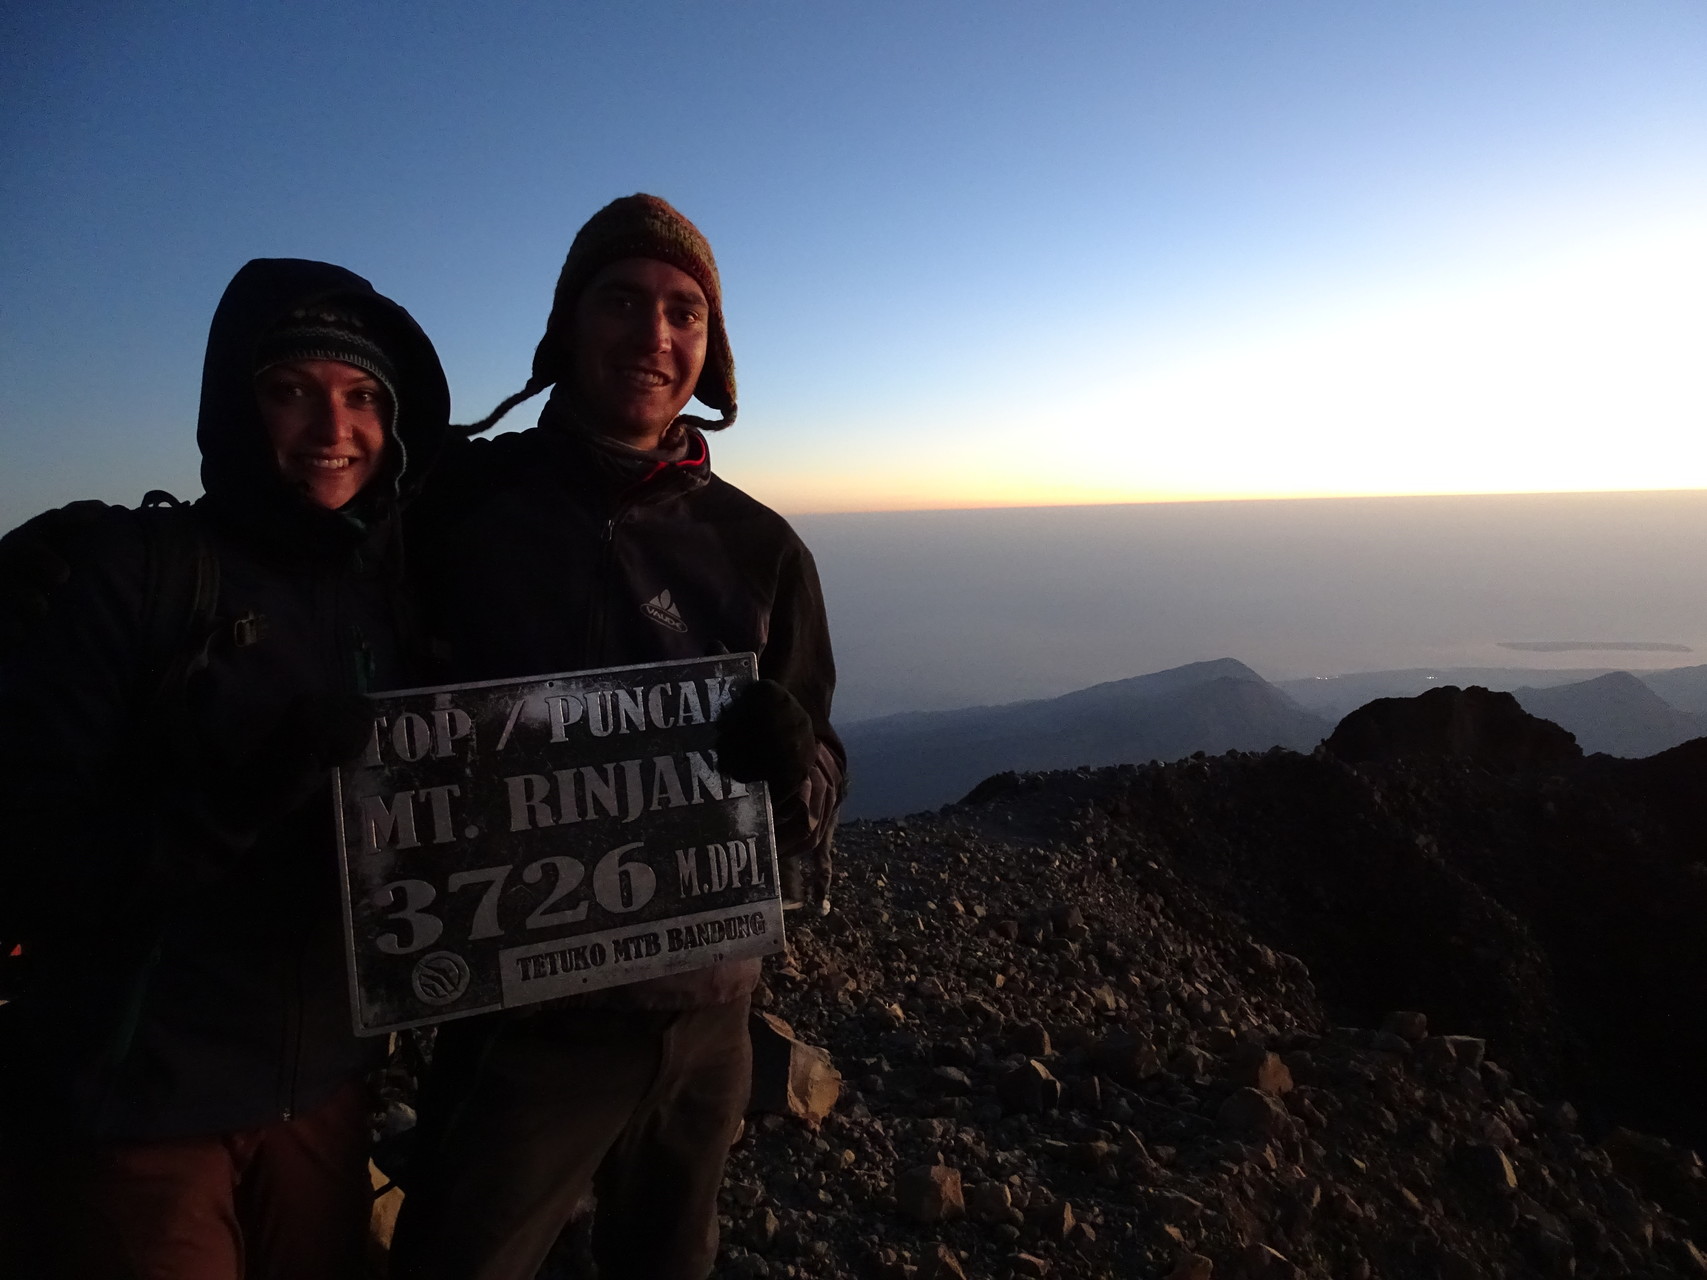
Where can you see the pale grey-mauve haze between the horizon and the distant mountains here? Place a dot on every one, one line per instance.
(938, 610)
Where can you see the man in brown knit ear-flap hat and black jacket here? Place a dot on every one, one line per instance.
(603, 538)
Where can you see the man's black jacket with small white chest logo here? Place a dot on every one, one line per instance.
(533, 556)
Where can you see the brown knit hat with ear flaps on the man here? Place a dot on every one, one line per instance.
(638, 226)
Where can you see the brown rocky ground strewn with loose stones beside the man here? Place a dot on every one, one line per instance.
(1068, 1050)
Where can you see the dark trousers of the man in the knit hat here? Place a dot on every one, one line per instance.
(532, 1114)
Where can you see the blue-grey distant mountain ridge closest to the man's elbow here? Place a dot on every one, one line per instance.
(924, 760)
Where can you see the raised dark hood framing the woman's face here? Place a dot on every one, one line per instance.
(238, 467)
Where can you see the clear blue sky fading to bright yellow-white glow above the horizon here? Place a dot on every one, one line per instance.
(999, 253)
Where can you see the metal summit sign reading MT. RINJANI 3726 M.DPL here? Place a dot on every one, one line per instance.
(511, 842)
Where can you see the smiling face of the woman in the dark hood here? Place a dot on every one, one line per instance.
(327, 422)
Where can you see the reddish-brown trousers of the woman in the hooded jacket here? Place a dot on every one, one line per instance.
(276, 1202)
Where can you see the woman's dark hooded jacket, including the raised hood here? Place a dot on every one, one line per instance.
(187, 963)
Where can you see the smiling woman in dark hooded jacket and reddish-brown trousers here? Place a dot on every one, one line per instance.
(185, 1079)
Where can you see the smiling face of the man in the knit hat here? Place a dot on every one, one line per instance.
(638, 347)
